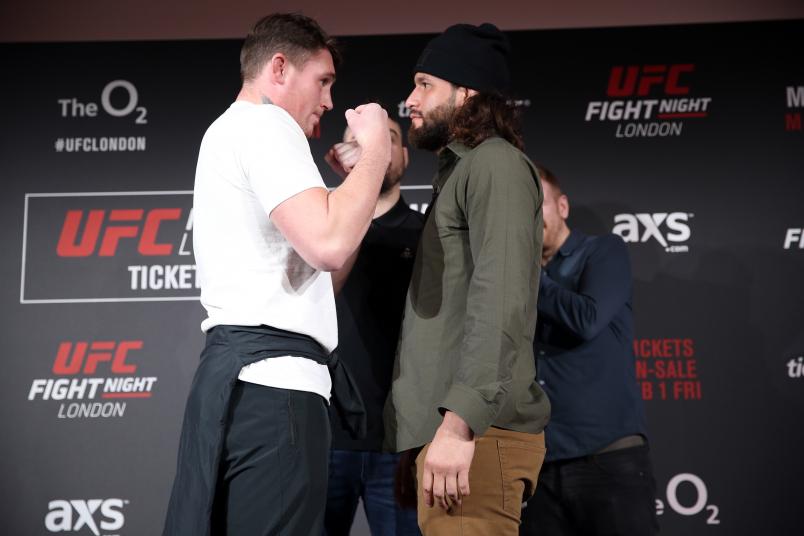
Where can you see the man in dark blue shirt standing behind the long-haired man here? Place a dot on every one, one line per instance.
(597, 477)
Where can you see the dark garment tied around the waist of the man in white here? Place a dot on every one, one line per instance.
(228, 349)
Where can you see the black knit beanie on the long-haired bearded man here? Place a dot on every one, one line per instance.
(475, 57)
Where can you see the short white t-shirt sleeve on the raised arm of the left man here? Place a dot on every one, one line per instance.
(277, 161)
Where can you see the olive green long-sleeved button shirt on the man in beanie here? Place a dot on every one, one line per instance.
(466, 343)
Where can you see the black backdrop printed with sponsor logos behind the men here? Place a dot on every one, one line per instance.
(101, 319)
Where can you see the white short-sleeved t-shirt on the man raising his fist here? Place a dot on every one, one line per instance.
(252, 158)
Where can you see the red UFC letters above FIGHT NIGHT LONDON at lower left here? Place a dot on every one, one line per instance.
(74, 358)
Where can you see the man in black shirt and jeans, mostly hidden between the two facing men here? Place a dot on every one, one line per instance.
(370, 306)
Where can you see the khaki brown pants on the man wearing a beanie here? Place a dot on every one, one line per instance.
(504, 471)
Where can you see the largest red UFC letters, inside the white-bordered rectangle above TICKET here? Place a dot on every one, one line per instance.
(121, 224)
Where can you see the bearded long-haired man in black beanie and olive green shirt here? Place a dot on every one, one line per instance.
(464, 384)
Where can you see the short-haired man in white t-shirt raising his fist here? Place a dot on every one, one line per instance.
(267, 232)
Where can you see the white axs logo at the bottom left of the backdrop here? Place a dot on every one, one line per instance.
(74, 515)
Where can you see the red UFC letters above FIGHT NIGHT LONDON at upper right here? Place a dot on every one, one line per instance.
(635, 80)
